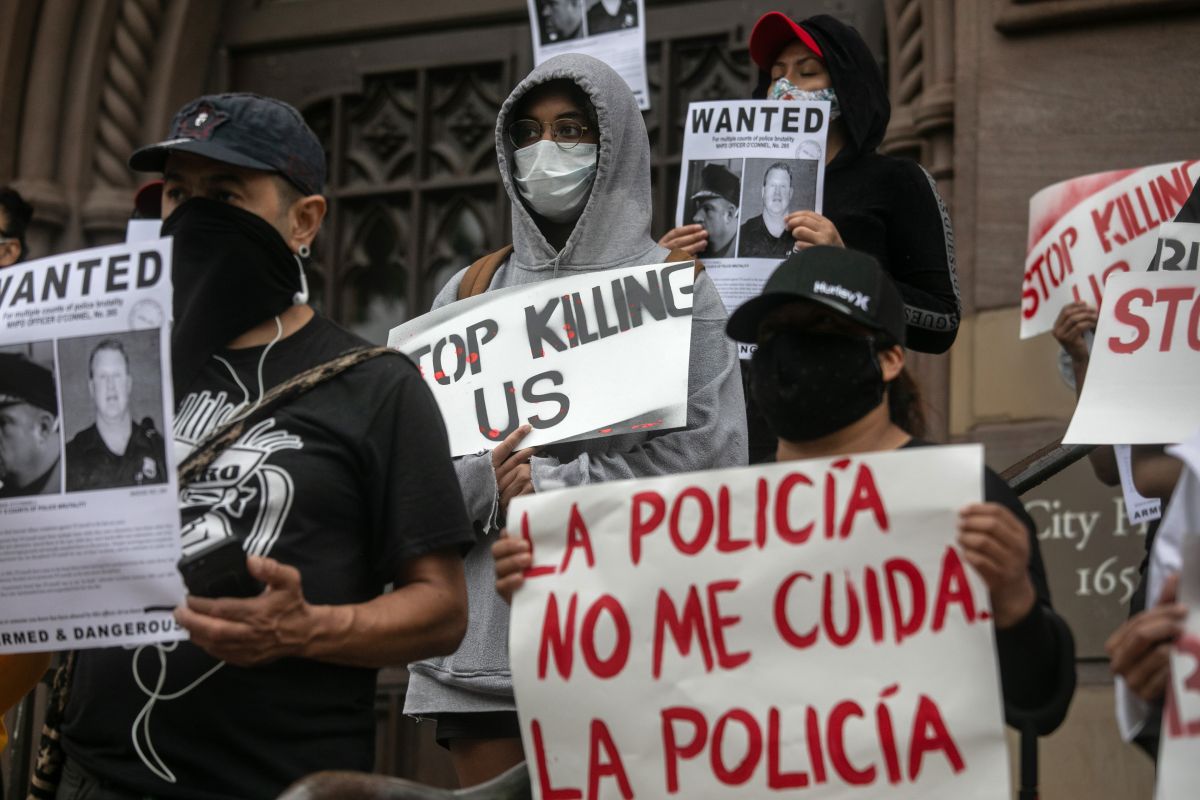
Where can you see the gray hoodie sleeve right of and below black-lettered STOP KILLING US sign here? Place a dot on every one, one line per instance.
(717, 424)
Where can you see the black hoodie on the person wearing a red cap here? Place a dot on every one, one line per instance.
(881, 206)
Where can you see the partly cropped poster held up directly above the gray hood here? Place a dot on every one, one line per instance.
(610, 31)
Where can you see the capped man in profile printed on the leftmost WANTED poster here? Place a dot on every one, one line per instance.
(29, 429)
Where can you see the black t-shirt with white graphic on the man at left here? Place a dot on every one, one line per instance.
(345, 483)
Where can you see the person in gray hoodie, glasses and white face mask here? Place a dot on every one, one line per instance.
(580, 185)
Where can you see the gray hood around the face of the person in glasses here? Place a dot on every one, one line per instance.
(614, 225)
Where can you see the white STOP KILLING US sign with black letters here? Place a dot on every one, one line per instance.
(586, 357)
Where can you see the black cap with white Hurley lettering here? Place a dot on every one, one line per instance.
(850, 282)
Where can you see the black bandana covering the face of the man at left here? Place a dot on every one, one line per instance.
(231, 270)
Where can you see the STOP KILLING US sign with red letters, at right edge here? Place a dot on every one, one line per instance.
(1087, 230)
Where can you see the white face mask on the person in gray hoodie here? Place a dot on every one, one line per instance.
(554, 182)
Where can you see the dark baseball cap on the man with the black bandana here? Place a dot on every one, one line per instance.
(247, 131)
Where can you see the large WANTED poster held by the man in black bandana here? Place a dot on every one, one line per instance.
(88, 538)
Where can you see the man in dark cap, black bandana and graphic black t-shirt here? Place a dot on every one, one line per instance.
(337, 494)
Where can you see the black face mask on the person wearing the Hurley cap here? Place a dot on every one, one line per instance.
(811, 386)
